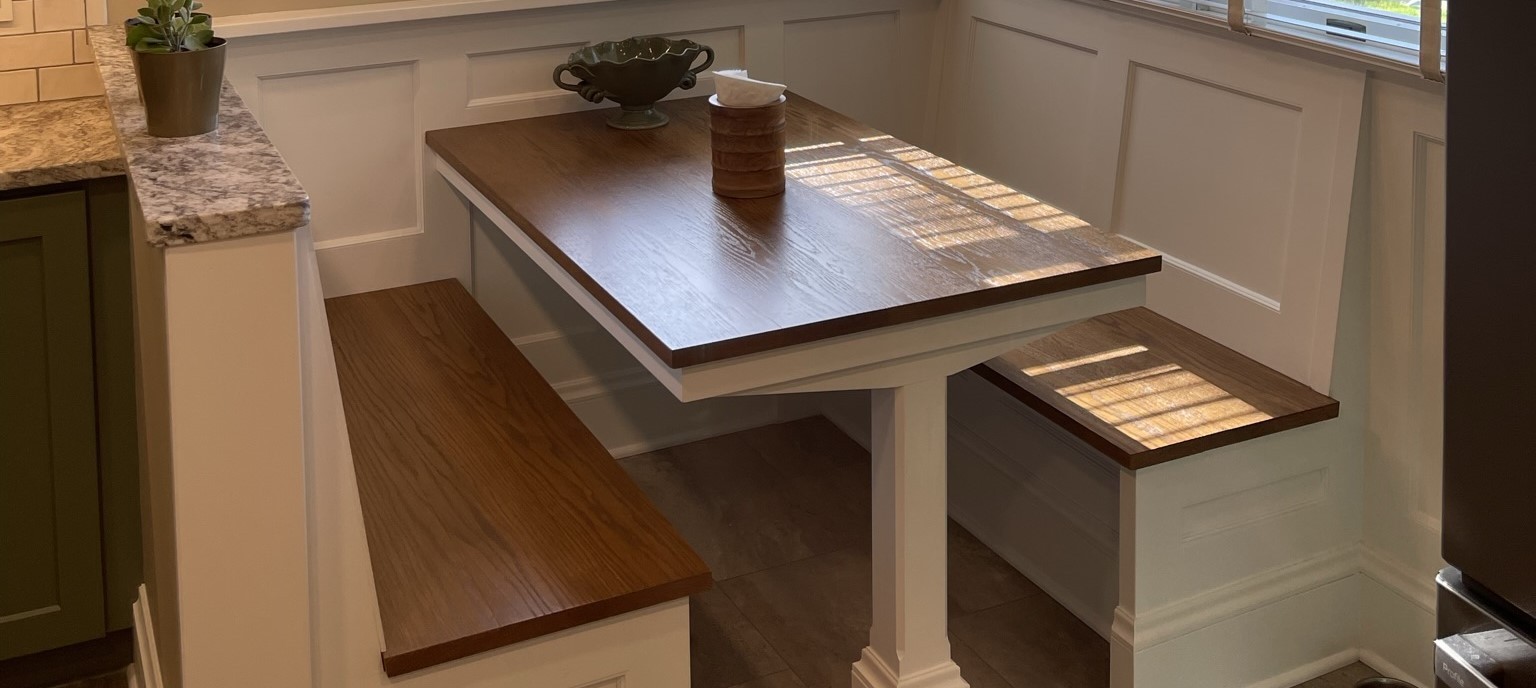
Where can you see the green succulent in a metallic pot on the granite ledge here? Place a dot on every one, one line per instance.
(180, 67)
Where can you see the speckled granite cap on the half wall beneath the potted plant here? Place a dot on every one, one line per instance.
(216, 187)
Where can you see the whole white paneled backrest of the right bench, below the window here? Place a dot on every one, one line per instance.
(1237, 164)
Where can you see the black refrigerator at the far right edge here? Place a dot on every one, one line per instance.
(1488, 597)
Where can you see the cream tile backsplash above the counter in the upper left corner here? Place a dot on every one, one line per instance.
(44, 51)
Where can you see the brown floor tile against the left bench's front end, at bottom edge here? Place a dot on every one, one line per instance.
(726, 647)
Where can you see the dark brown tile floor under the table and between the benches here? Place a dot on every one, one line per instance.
(783, 518)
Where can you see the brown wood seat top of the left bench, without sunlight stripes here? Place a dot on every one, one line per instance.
(492, 514)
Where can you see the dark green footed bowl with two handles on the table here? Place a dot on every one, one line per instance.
(635, 73)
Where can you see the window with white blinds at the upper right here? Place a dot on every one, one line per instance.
(1385, 30)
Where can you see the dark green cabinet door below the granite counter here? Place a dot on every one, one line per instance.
(50, 508)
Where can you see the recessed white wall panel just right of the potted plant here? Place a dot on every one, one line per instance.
(366, 170)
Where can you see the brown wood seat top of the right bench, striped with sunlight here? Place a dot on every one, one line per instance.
(1145, 389)
